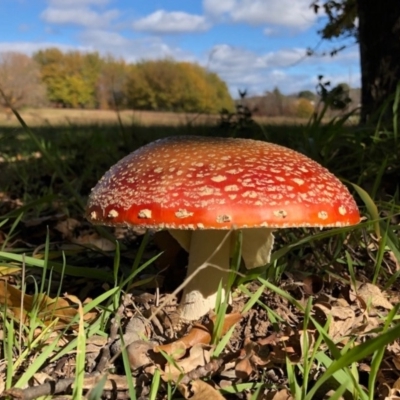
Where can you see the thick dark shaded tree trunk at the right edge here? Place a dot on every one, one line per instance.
(379, 37)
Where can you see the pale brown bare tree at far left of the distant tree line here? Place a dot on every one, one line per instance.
(20, 81)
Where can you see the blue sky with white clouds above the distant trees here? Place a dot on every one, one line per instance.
(253, 45)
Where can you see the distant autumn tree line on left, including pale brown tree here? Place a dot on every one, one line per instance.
(88, 80)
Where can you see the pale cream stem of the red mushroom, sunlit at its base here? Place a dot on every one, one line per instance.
(209, 253)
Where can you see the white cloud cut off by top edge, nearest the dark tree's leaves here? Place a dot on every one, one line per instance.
(295, 14)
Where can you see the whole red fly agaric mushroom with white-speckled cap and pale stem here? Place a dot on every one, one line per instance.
(201, 188)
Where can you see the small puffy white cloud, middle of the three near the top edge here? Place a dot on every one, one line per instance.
(162, 21)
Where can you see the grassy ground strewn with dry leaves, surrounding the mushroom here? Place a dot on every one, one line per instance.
(308, 326)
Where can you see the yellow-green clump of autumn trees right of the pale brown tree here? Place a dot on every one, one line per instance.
(76, 79)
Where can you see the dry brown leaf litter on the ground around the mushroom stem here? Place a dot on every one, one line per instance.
(264, 340)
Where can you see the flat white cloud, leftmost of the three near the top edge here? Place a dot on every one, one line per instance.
(78, 16)
